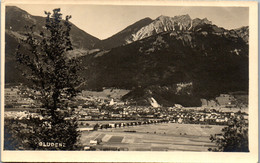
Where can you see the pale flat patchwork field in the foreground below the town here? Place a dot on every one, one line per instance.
(155, 137)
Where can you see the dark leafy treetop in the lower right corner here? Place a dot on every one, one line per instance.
(234, 137)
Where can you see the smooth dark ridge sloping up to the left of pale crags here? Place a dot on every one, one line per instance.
(121, 37)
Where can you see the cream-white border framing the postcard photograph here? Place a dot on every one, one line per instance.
(83, 156)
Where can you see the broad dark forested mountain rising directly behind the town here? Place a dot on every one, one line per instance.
(208, 59)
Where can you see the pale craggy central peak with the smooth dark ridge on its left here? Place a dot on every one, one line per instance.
(148, 27)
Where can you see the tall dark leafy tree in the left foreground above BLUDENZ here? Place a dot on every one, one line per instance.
(51, 72)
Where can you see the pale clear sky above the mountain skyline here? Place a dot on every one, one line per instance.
(103, 21)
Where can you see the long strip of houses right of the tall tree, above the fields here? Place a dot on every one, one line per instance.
(173, 114)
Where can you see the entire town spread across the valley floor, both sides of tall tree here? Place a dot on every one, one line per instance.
(92, 108)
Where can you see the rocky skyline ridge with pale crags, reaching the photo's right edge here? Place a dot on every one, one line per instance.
(147, 27)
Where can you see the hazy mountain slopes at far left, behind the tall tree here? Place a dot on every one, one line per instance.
(17, 19)
